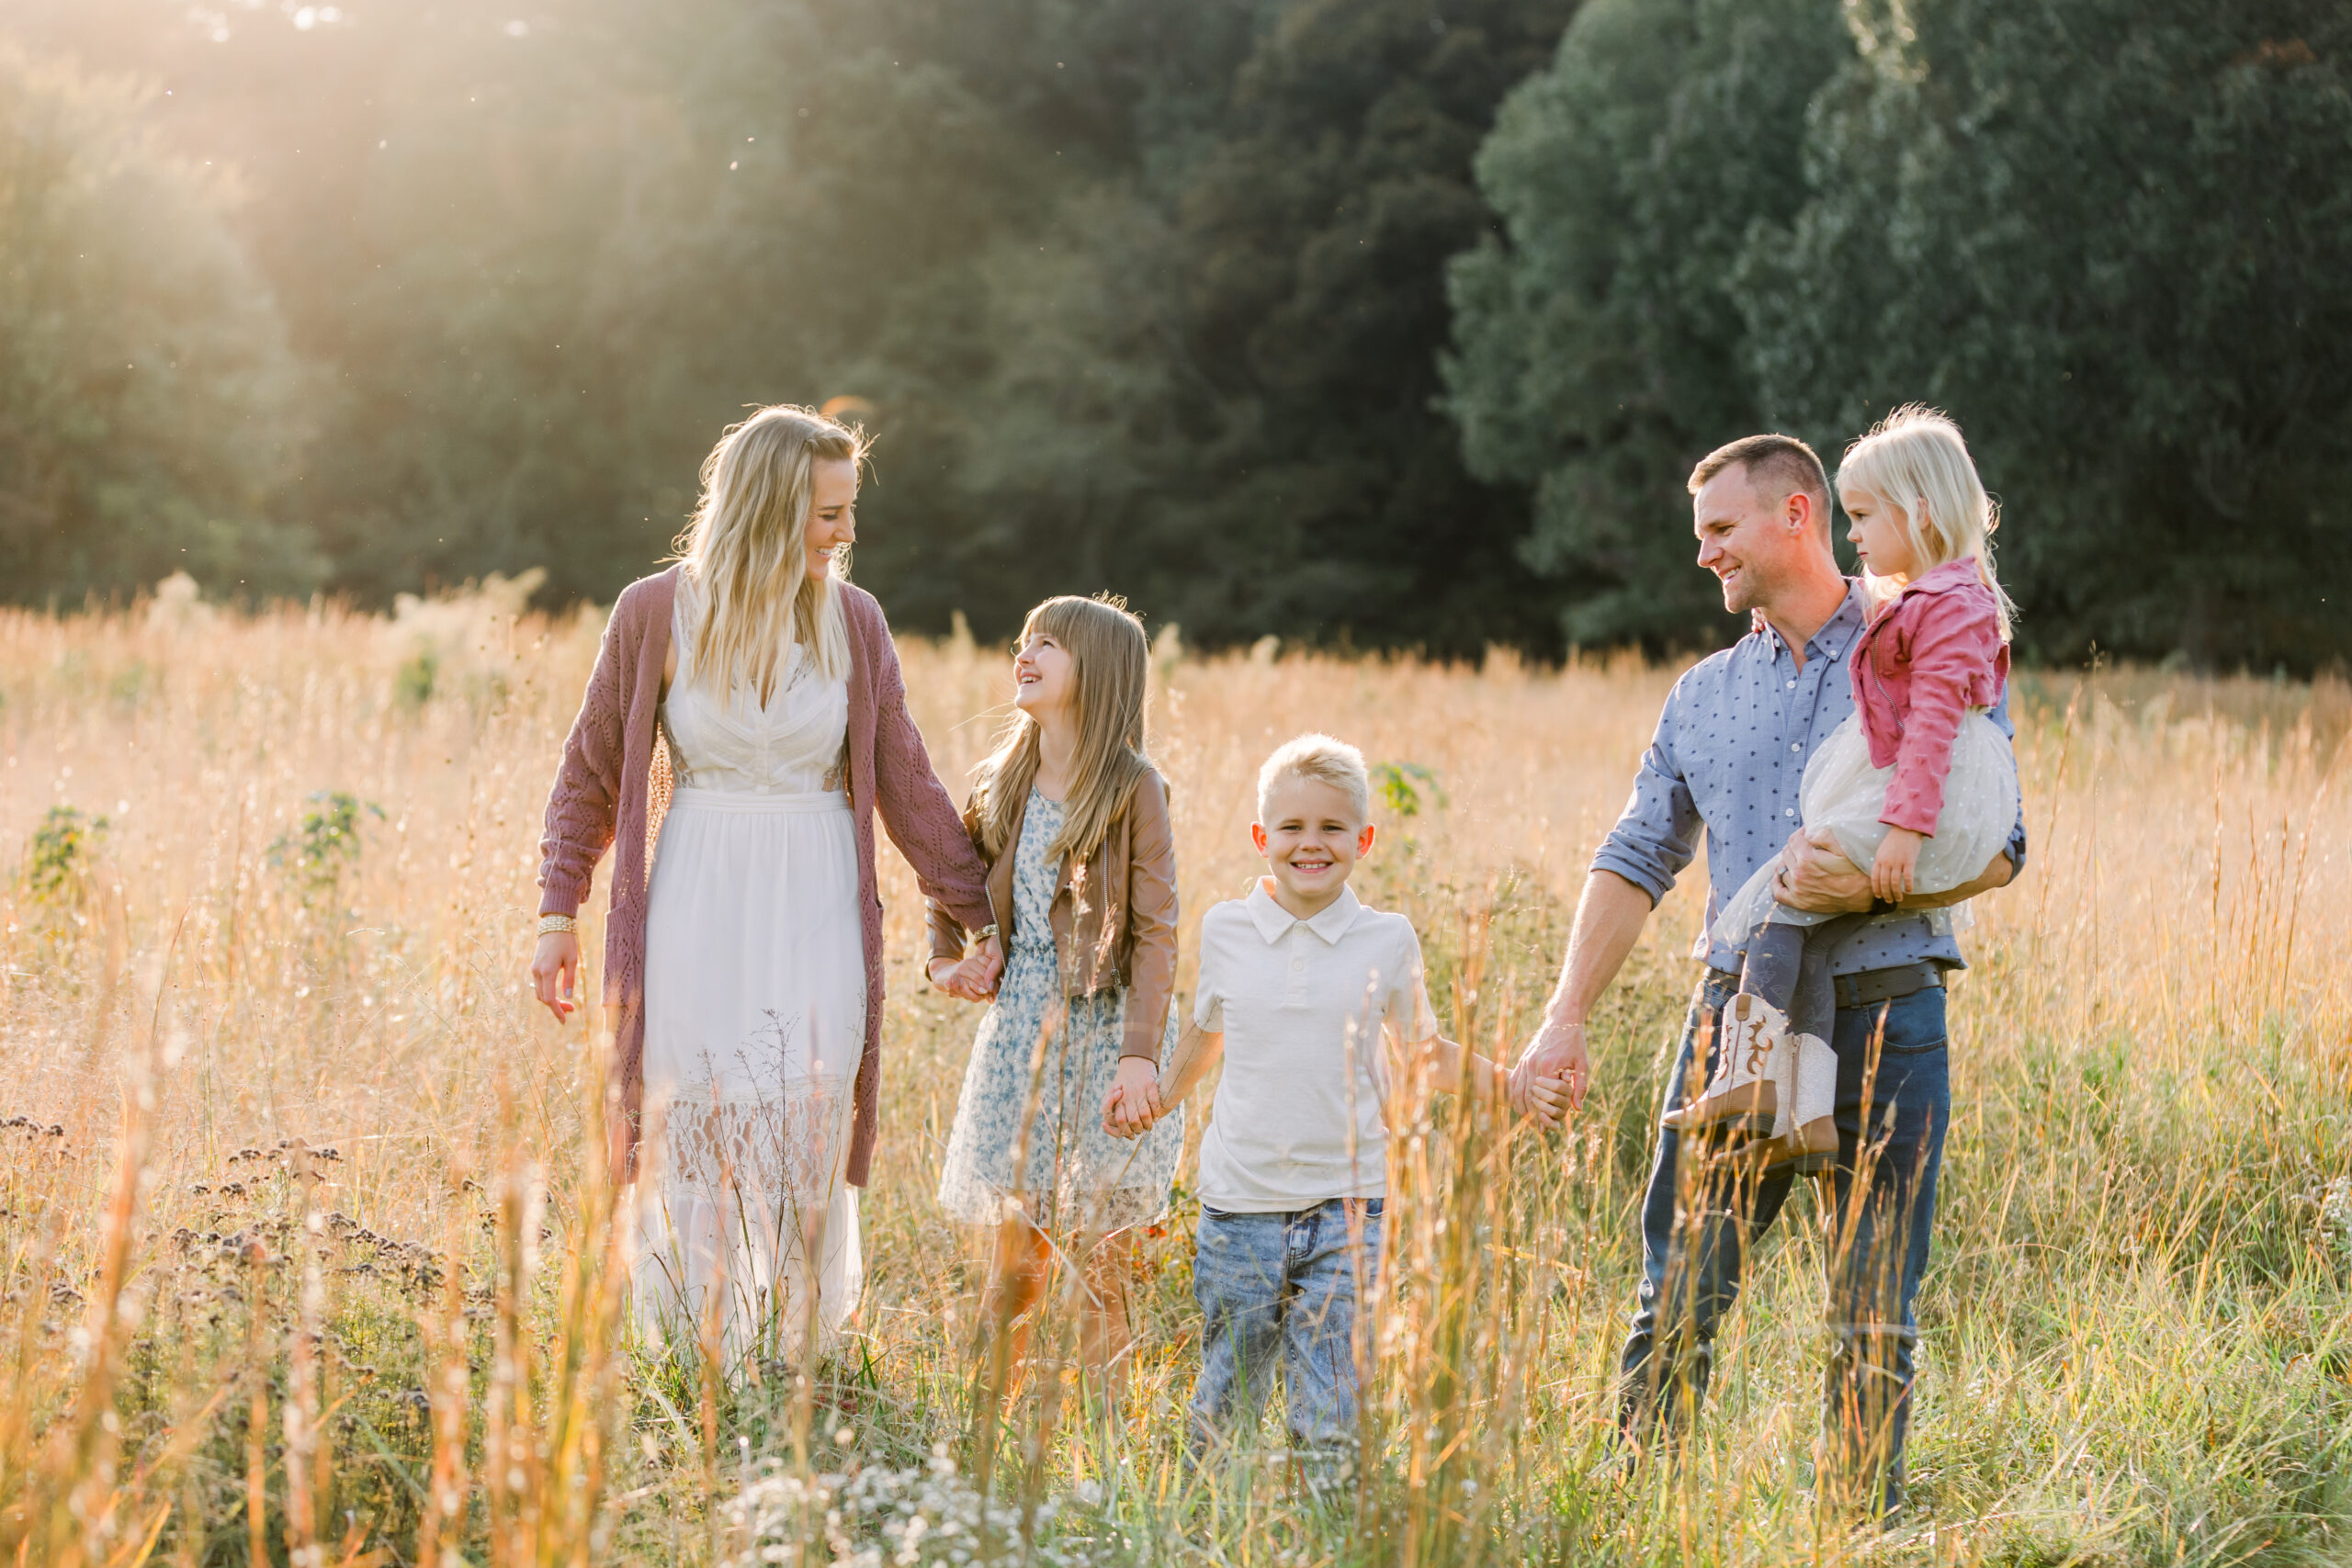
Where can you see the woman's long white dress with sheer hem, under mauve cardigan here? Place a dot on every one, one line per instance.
(754, 1019)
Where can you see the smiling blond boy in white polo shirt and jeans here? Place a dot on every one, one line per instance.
(1297, 989)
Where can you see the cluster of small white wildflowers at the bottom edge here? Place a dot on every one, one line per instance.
(926, 1517)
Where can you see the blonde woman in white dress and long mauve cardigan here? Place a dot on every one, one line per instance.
(744, 965)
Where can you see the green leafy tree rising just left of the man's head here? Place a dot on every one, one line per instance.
(1601, 342)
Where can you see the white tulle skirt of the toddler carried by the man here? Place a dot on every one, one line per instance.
(1845, 793)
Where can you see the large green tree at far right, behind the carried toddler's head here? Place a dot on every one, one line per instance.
(2111, 239)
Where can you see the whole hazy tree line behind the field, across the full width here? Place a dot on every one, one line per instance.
(1382, 323)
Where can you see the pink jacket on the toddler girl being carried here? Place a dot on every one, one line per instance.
(1918, 669)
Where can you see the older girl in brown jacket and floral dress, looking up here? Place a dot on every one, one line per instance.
(1074, 824)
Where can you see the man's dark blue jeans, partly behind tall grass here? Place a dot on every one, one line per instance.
(1702, 1221)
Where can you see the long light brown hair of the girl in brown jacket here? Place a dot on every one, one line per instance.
(1111, 685)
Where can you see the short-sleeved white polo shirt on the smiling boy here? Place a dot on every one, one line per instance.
(1302, 1005)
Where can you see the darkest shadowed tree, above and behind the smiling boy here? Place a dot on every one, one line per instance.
(1321, 490)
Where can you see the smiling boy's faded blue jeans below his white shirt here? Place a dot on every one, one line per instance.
(1283, 1285)
